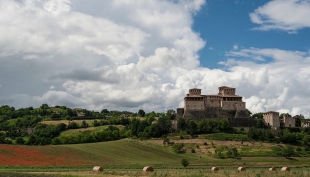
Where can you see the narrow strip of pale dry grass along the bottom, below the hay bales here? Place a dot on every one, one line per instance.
(223, 172)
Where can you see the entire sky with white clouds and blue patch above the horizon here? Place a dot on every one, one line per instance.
(134, 54)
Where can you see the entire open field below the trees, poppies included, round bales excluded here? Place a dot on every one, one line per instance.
(127, 157)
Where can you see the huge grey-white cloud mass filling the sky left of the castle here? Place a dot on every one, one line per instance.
(108, 60)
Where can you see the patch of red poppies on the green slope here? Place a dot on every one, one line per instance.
(11, 155)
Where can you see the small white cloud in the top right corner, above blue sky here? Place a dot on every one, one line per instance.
(287, 15)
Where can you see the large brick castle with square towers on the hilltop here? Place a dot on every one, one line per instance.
(224, 104)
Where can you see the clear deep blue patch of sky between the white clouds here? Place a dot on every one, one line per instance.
(223, 24)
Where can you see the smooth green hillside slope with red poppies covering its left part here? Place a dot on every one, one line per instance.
(124, 153)
